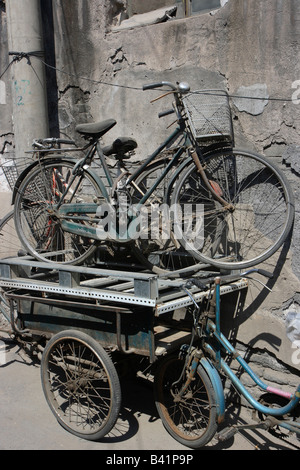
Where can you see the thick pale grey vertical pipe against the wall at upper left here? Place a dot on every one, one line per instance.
(29, 94)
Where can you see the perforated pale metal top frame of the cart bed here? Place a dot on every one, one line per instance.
(120, 287)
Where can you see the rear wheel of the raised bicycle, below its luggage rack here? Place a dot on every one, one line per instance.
(38, 226)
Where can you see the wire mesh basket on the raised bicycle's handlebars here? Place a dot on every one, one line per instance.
(209, 115)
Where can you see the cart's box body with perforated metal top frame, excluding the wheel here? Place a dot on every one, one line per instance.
(132, 312)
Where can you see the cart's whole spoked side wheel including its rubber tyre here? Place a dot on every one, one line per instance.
(80, 384)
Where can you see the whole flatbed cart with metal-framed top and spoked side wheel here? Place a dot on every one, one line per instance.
(82, 319)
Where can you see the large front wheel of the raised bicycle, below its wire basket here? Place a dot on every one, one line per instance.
(254, 224)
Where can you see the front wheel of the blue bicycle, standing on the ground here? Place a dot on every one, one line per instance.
(192, 418)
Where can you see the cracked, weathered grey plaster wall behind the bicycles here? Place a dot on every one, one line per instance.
(249, 47)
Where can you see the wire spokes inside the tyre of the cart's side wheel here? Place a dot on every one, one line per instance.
(79, 386)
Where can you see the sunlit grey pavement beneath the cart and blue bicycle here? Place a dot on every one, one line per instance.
(27, 422)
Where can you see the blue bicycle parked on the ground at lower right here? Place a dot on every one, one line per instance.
(188, 388)
